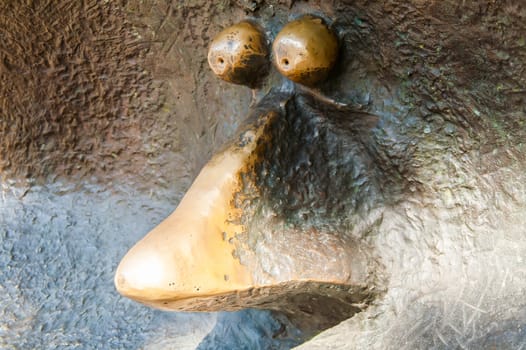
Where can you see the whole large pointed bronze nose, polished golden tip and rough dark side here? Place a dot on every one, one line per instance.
(241, 236)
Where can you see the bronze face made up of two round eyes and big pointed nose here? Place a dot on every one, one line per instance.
(269, 214)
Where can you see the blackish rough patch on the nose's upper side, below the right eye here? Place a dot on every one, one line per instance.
(315, 166)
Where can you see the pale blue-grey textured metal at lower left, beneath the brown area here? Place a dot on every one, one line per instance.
(59, 247)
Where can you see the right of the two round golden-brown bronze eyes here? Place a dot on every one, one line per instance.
(305, 50)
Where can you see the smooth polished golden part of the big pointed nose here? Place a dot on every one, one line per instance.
(190, 254)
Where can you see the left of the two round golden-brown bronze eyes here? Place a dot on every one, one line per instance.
(239, 54)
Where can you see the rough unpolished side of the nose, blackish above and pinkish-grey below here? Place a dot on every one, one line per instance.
(308, 182)
